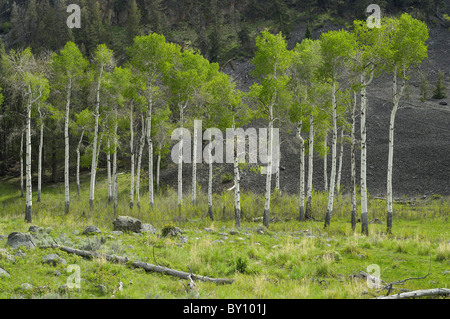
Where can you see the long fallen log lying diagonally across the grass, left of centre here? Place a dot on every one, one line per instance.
(143, 265)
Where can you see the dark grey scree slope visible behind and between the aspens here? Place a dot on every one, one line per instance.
(422, 136)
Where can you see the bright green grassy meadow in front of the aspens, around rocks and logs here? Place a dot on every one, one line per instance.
(284, 262)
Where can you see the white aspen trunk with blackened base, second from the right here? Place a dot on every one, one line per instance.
(364, 212)
